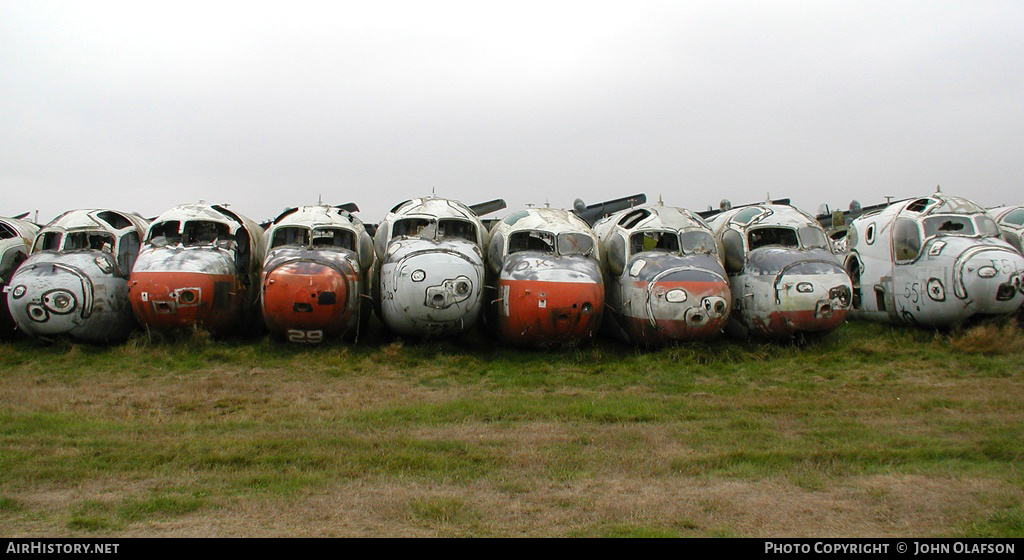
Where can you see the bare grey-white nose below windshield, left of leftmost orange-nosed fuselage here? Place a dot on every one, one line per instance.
(81, 294)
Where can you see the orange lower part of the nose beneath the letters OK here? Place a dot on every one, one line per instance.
(549, 314)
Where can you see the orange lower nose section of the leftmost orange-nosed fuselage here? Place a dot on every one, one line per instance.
(177, 300)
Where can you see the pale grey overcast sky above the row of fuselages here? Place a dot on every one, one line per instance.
(144, 106)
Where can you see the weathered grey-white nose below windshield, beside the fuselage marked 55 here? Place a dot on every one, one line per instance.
(784, 292)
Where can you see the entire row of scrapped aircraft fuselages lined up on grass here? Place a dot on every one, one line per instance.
(540, 278)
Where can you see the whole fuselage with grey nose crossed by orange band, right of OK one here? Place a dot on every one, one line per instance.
(665, 280)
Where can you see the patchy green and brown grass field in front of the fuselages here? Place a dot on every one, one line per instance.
(871, 432)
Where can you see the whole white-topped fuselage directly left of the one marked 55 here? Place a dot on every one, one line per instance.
(783, 274)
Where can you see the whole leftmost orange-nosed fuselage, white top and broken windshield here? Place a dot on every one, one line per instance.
(198, 269)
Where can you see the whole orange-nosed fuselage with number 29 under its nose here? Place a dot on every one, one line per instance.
(315, 280)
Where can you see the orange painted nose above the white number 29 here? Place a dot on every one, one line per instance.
(306, 296)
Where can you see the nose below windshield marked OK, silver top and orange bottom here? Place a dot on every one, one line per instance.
(543, 300)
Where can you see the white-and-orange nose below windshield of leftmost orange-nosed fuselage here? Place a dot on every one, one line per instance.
(185, 287)
